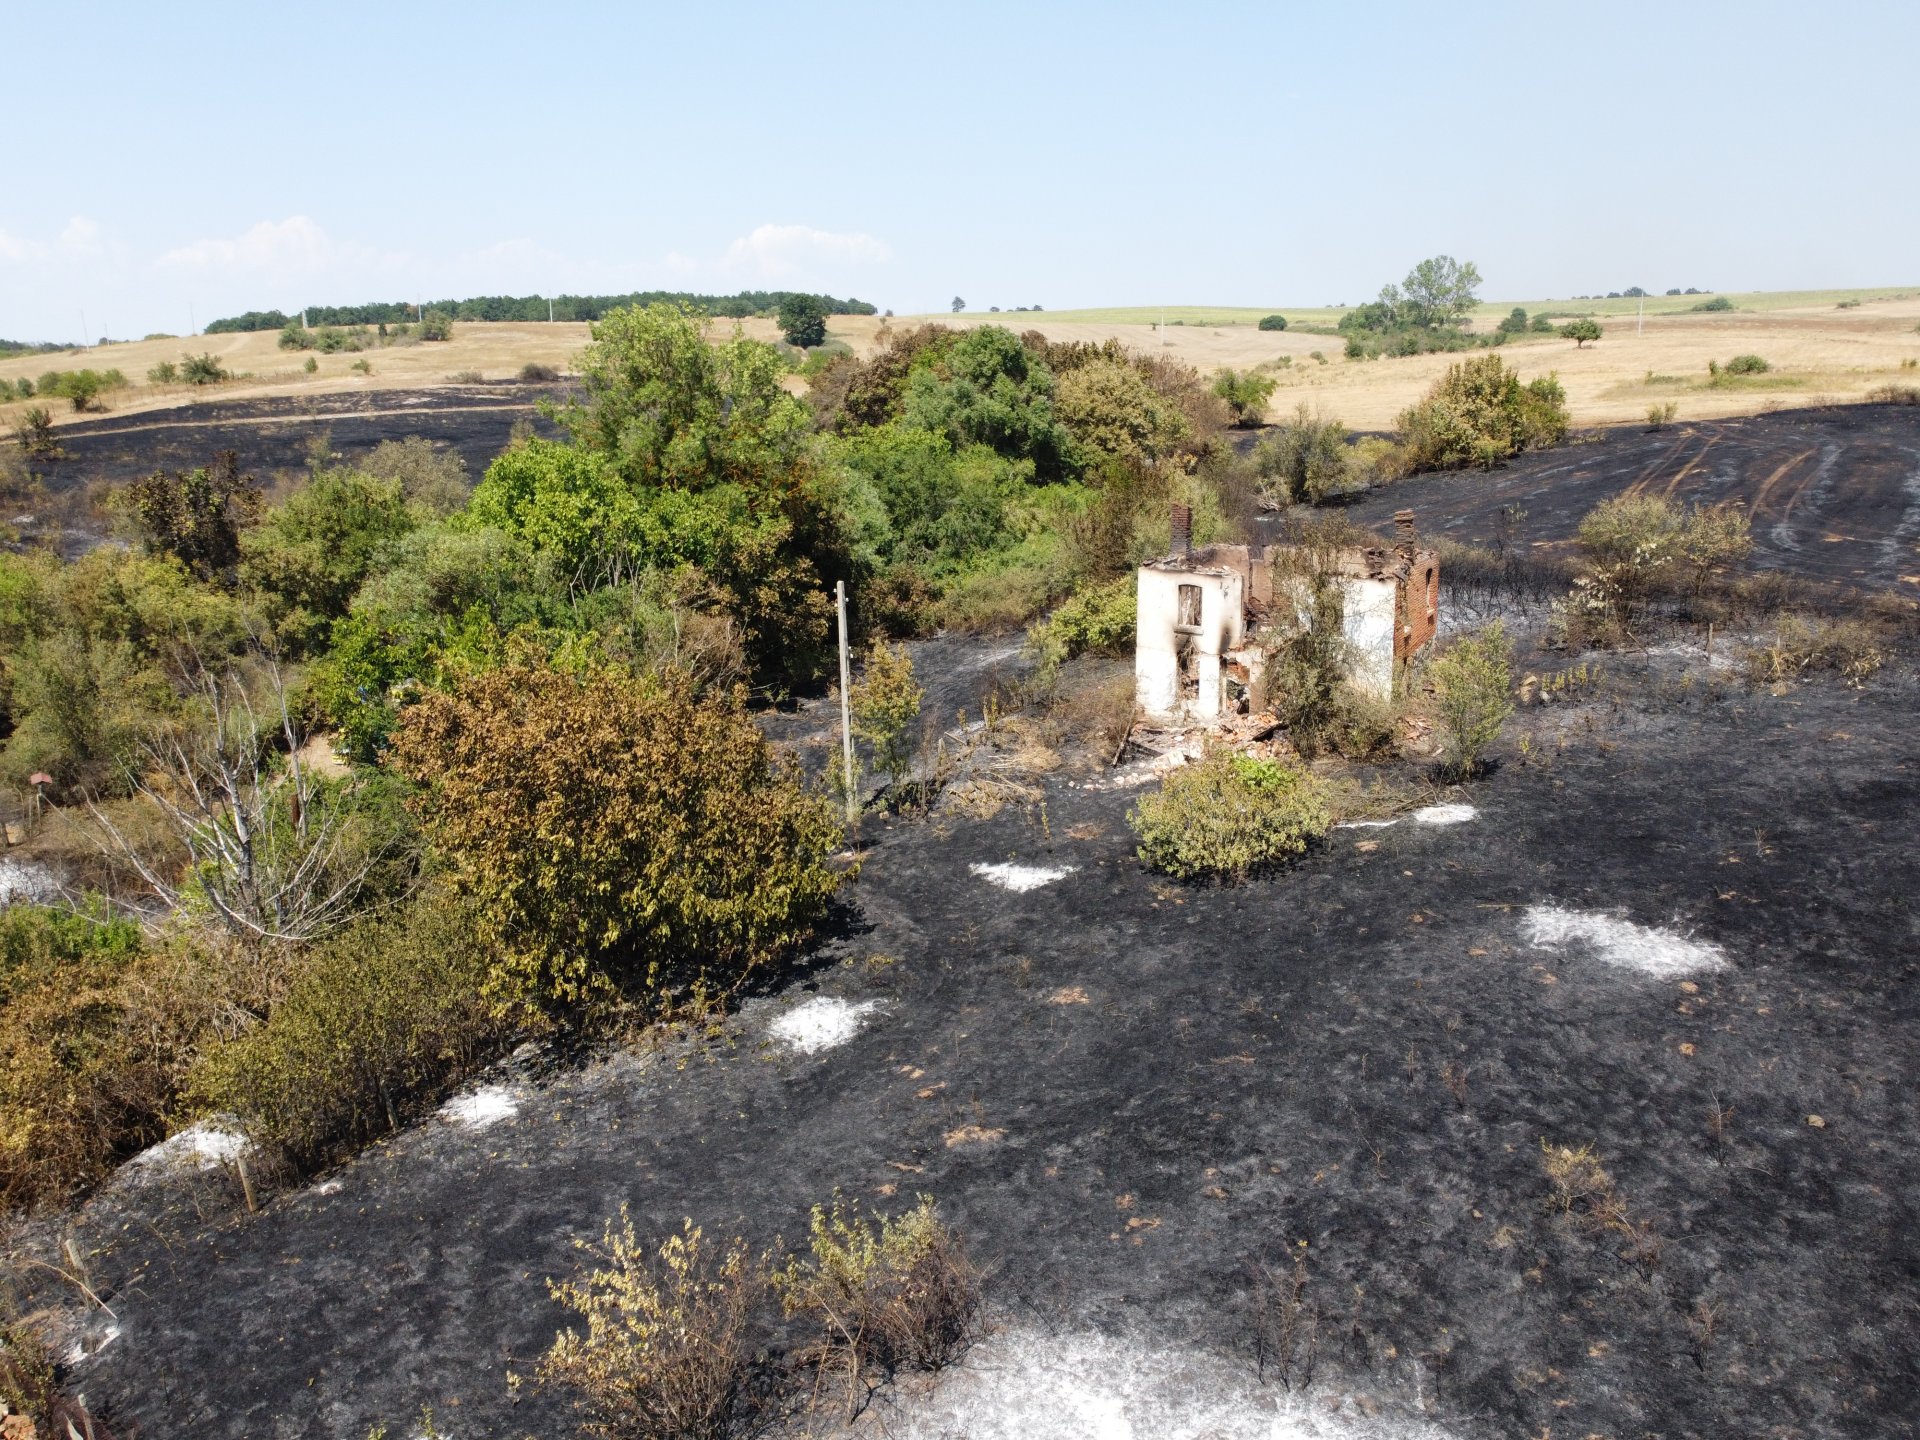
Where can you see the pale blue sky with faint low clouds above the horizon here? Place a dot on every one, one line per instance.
(172, 164)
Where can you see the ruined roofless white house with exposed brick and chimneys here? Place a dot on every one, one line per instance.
(1201, 615)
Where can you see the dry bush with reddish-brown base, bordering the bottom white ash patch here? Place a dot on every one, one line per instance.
(886, 1295)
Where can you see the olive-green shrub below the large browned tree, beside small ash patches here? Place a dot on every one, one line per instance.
(379, 1022)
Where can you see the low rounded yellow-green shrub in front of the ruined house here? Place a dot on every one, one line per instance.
(1230, 817)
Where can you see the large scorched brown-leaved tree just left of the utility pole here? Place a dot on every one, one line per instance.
(617, 832)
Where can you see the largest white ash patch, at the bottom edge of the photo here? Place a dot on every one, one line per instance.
(1028, 1385)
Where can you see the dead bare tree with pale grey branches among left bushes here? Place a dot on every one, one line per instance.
(274, 850)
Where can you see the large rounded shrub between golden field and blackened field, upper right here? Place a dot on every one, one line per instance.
(1479, 414)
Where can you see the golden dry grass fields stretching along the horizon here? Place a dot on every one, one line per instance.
(1819, 354)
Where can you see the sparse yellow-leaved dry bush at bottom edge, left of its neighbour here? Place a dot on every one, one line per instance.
(667, 1345)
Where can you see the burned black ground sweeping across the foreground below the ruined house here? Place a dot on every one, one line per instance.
(1249, 1068)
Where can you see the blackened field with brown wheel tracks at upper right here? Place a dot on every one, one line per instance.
(1835, 494)
